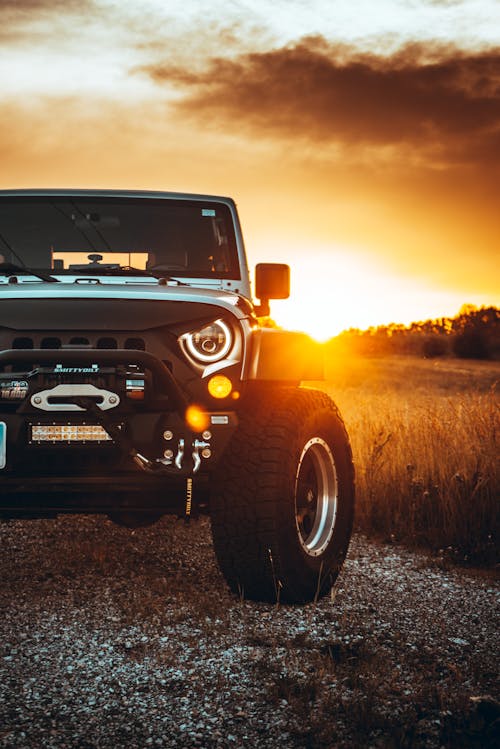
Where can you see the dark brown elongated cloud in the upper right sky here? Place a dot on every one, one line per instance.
(439, 100)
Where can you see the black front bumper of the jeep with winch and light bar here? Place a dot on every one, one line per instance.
(48, 462)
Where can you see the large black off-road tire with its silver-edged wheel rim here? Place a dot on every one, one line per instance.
(264, 546)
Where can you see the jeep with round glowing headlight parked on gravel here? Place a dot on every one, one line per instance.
(136, 380)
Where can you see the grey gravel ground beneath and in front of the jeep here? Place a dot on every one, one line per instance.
(118, 638)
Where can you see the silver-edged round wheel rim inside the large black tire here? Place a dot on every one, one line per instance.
(316, 496)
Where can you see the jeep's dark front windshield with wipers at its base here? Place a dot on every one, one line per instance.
(68, 234)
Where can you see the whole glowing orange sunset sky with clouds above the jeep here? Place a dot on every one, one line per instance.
(360, 139)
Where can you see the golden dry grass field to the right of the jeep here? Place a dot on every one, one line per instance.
(425, 437)
